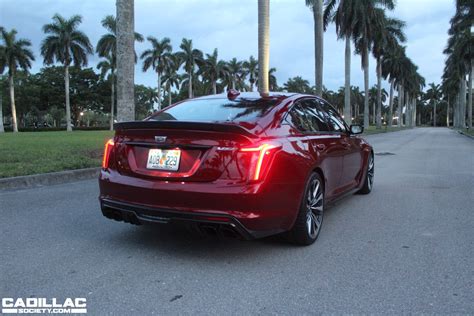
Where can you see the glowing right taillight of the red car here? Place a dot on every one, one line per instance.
(260, 159)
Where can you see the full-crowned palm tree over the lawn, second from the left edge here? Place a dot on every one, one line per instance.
(67, 45)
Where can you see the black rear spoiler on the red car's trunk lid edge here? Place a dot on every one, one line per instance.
(199, 126)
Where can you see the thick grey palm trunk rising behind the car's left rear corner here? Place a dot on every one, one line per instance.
(125, 60)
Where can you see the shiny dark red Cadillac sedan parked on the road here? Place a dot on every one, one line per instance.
(238, 163)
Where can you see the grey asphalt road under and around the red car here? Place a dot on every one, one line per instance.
(408, 247)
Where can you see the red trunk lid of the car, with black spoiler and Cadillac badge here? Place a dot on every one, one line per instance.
(207, 151)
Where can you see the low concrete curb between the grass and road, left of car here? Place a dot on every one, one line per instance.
(43, 179)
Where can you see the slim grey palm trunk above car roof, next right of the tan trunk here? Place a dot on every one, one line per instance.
(317, 8)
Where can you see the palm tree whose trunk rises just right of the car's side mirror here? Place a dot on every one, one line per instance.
(366, 19)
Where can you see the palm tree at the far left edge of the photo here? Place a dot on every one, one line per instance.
(13, 54)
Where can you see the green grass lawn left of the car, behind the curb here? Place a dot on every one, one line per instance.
(28, 153)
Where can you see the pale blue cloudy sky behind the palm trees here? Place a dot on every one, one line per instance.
(231, 27)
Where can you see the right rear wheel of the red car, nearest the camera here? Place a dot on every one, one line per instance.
(310, 217)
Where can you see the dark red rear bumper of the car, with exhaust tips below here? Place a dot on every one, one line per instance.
(253, 211)
